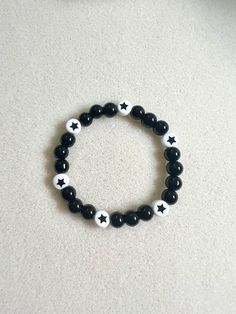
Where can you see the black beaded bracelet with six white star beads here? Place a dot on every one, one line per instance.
(144, 212)
